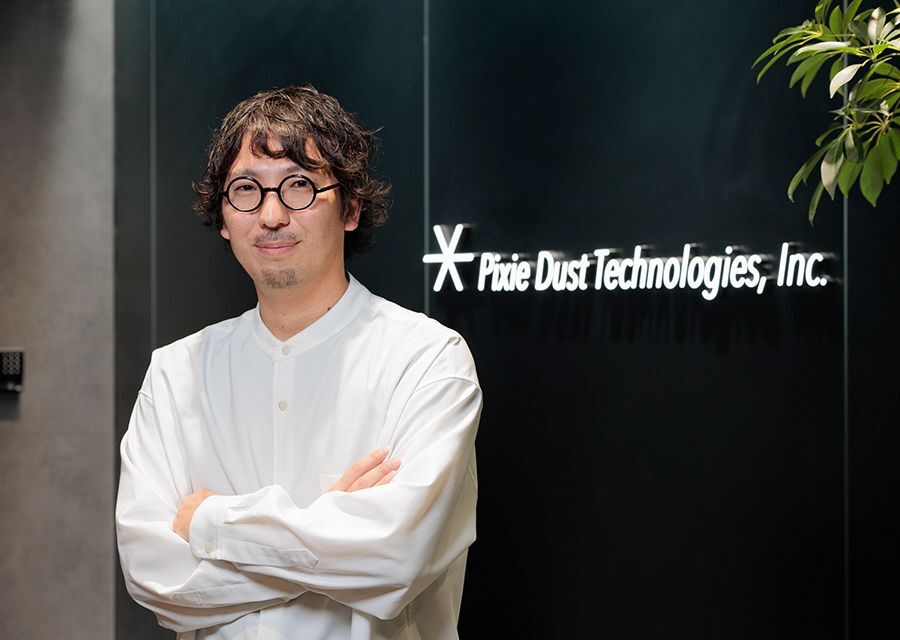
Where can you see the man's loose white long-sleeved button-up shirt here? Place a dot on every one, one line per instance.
(270, 426)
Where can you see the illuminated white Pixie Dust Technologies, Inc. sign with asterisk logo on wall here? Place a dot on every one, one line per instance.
(609, 269)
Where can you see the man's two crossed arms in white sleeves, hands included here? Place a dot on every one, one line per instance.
(372, 543)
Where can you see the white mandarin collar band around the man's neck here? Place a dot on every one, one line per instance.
(334, 320)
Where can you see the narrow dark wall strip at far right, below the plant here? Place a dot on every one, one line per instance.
(874, 414)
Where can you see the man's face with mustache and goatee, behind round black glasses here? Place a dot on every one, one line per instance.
(278, 247)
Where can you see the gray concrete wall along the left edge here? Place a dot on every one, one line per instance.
(56, 300)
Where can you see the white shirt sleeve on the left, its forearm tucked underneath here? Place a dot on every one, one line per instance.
(184, 591)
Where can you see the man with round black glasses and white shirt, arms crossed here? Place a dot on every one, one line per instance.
(241, 512)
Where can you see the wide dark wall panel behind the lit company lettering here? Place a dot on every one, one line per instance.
(651, 464)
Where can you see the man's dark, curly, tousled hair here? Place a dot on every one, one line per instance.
(292, 115)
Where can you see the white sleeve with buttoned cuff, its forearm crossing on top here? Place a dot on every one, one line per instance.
(375, 549)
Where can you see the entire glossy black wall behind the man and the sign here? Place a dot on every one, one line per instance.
(651, 464)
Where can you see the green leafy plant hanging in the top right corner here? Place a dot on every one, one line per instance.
(863, 142)
